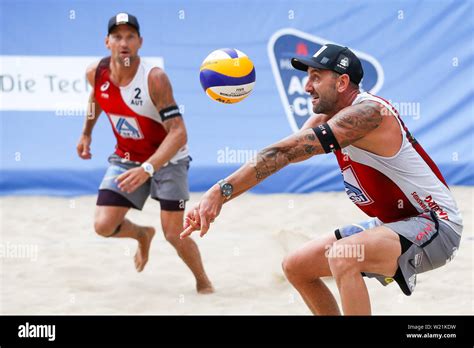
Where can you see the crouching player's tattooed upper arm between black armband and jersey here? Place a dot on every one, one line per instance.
(354, 122)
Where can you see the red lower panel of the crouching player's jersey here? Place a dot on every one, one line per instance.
(384, 199)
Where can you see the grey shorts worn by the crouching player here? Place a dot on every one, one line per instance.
(427, 243)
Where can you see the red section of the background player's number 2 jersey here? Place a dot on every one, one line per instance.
(146, 135)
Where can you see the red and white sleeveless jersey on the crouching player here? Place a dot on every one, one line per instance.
(393, 188)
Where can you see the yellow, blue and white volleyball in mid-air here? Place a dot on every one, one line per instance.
(227, 75)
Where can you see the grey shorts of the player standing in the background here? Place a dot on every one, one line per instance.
(169, 184)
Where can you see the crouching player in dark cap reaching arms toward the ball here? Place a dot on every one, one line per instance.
(415, 224)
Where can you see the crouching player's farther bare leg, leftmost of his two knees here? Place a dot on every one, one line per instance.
(304, 268)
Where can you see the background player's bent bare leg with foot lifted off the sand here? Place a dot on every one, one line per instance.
(110, 221)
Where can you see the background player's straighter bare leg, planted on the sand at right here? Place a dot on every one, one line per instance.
(172, 223)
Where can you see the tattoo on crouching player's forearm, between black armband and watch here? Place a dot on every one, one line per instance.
(296, 148)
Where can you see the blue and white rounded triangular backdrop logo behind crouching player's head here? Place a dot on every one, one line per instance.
(287, 43)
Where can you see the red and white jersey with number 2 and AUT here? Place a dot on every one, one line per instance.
(136, 123)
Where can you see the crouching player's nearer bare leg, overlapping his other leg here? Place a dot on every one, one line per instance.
(381, 249)
